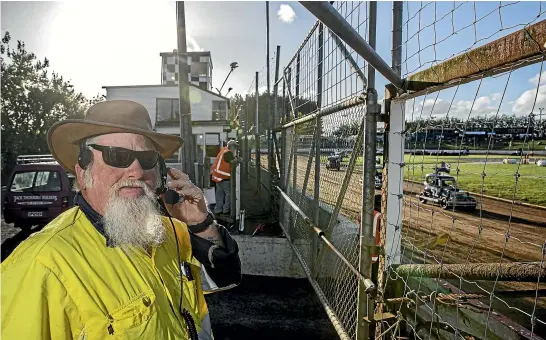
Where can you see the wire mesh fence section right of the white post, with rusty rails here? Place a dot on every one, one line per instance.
(472, 194)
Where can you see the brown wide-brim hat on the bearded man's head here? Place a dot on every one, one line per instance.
(112, 116)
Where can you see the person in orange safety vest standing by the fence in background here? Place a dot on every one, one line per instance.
(221, 173)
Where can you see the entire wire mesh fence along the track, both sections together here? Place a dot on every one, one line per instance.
(464, 257)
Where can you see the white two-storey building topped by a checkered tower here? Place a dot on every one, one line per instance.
(208, 109)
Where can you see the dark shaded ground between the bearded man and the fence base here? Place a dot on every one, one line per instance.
(269, 308)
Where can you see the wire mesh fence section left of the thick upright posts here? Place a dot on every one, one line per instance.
(322, 111)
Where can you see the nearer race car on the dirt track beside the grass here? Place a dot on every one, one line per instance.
(442, 188)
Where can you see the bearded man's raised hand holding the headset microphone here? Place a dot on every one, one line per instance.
(194, 208)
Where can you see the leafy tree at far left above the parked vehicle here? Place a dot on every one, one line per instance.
(33, 99)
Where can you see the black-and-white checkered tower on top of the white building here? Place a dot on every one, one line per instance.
(199, 69)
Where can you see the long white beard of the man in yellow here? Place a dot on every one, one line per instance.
(133, 221)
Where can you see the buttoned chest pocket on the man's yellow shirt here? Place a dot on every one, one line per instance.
(131, 319)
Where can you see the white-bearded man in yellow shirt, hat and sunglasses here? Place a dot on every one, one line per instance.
(115, 265)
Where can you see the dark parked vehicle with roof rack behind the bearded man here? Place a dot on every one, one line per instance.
(38, 190)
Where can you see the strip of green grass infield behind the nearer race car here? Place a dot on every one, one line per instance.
(498, 182)
